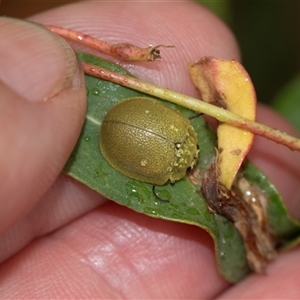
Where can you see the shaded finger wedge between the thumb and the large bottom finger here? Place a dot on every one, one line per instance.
(65, 201)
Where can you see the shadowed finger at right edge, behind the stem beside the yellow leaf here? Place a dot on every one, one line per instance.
(278, 162)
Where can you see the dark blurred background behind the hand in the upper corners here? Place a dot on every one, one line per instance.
(268, 33)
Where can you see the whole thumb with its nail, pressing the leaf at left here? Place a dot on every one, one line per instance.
(42, 102)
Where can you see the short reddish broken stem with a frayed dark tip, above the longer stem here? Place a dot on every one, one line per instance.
(122, 51)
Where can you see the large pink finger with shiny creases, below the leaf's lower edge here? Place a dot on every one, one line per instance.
(112, 253)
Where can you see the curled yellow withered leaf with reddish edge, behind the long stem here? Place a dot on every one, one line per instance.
(227, 83)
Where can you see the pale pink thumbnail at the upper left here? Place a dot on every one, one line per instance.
(35, 62)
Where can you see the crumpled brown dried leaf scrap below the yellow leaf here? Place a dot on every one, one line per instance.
(245, 205)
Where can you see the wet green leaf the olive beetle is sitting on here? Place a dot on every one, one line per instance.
(186, 204)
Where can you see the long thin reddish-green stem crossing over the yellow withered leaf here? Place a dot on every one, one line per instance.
(197, 105)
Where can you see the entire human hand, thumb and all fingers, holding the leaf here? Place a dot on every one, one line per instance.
(57, 242)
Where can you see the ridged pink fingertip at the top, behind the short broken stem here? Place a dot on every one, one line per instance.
(198, 34)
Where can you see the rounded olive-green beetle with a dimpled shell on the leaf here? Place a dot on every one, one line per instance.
(148, 141)
